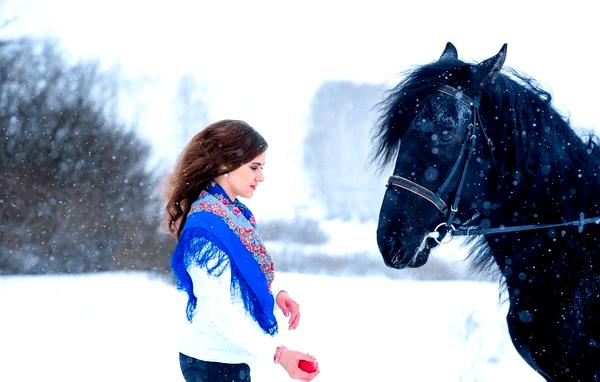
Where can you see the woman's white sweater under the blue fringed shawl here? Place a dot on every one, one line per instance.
(221, 330)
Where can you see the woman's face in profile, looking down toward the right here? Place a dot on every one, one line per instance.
(243, 180)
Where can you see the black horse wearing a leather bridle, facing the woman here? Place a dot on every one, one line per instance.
(481, 152)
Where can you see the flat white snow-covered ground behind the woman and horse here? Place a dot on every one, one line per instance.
(124, 327)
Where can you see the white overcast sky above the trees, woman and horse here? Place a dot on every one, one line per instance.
(263, 60)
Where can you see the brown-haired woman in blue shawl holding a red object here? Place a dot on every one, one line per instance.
(221, 262)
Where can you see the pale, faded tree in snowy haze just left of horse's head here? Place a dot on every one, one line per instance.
(337, 147)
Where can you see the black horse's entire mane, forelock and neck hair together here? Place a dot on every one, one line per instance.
(530, 134)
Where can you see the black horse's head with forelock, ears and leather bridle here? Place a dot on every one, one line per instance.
(433, 117)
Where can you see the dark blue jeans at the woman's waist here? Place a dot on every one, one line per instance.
(195, 370)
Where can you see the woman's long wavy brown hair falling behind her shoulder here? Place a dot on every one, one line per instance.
(219, 148)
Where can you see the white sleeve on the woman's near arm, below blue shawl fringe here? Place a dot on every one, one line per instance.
(226, 311)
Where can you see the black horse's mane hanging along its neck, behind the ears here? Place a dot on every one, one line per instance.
(535, 145)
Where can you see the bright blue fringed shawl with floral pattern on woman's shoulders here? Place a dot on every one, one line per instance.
(215, 227)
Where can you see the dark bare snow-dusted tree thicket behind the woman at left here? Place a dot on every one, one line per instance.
(75, 192)
